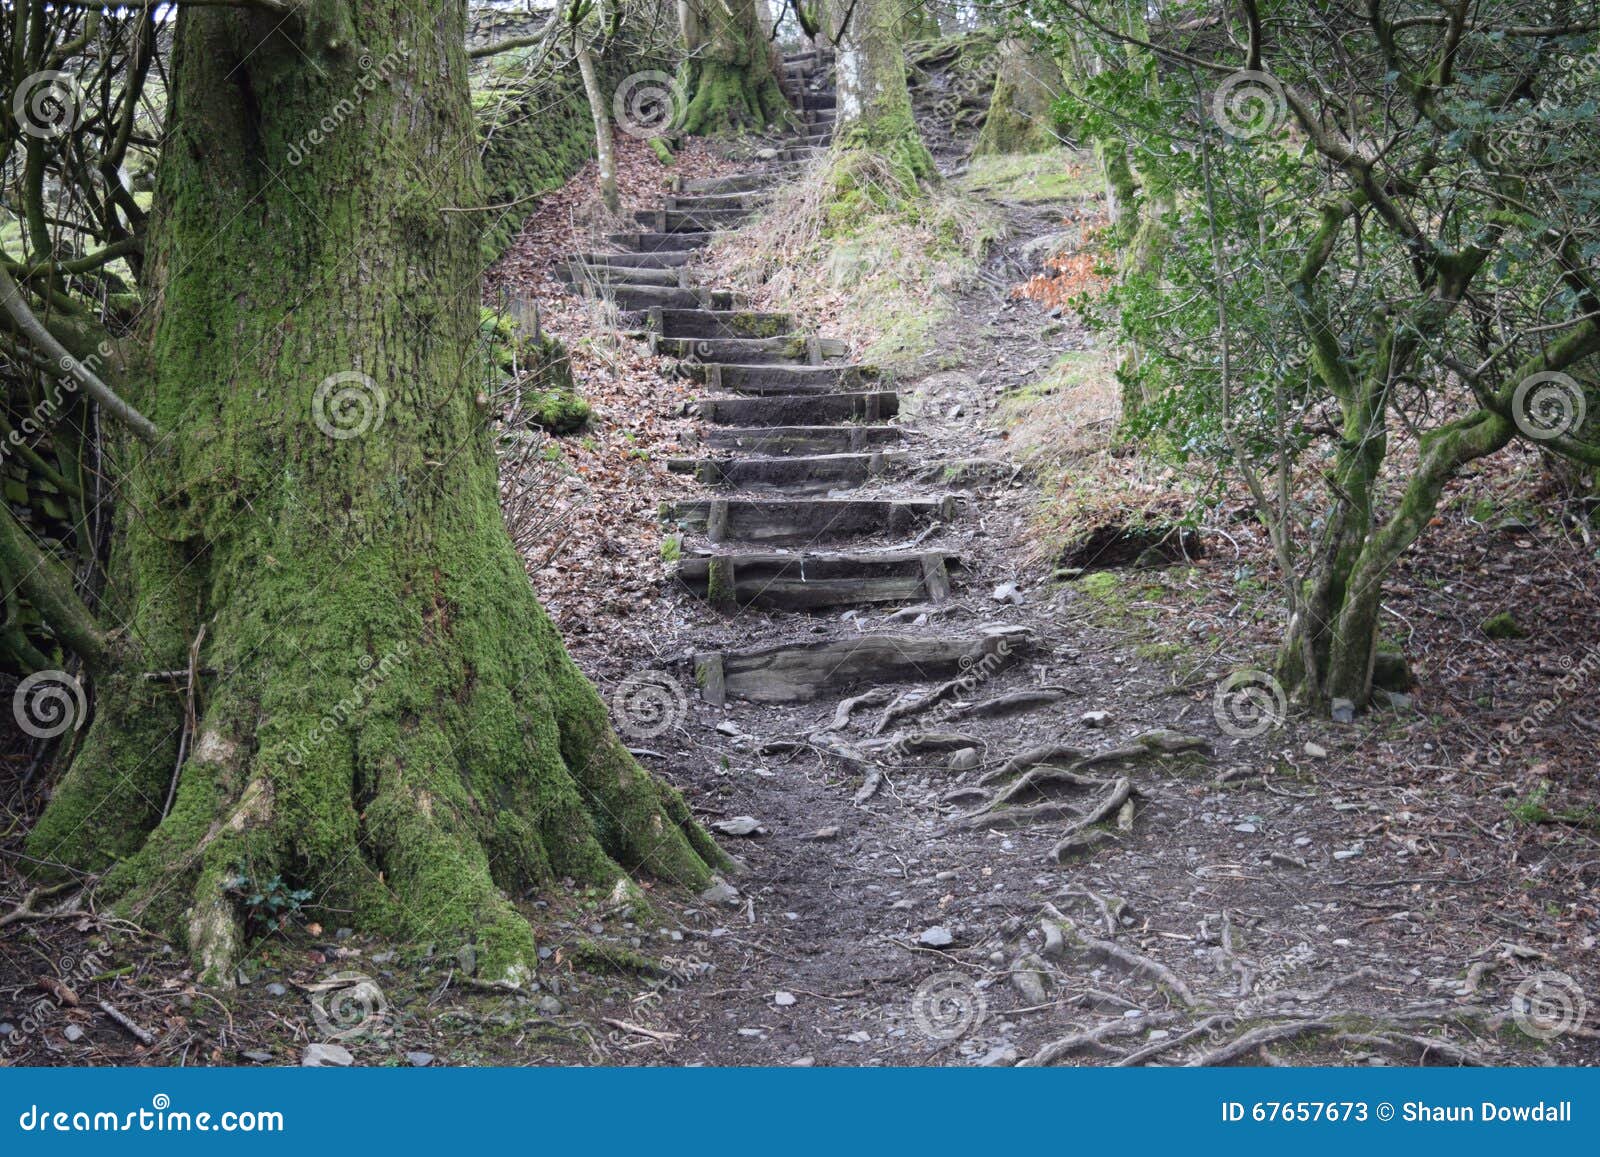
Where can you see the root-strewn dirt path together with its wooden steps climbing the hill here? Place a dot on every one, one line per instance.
(975, 827)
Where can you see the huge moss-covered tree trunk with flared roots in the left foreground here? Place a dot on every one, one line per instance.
(393, 723)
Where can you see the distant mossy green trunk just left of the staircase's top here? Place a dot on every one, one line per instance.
(729, 74)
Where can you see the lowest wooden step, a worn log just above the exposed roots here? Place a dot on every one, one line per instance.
(801, 673)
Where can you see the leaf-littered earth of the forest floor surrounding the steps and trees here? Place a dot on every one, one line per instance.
(1393, 891)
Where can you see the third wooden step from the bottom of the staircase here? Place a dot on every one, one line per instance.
(807, 521)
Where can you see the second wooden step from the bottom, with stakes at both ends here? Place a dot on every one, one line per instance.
(815, 582)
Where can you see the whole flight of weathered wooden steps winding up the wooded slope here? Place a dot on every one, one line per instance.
(812, 489)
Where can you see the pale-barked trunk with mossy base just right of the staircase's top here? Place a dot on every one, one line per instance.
(874, 103)
